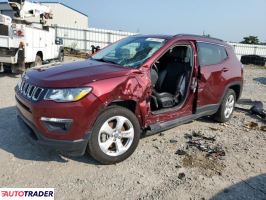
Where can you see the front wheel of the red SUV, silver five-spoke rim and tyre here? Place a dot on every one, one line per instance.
(115, 135)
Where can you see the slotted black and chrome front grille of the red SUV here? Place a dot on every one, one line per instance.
(30, 91)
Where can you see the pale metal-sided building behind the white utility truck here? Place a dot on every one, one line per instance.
(63, 15)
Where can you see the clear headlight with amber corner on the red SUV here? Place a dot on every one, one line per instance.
(67, 95)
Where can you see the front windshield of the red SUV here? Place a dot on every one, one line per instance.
(130, 52)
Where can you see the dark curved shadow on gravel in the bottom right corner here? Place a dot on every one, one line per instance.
(250, 189)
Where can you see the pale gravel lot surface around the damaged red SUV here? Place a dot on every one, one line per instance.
(154, 171)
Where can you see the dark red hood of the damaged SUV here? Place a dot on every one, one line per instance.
(74, 74)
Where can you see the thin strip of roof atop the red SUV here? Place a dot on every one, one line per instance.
(198, 38)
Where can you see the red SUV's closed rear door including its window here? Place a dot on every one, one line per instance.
(212, 70)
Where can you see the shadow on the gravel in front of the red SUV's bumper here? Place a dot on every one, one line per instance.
(14, 141)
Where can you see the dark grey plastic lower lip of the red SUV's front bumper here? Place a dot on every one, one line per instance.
(72, 148)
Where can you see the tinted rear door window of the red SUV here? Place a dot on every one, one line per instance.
(211, 54)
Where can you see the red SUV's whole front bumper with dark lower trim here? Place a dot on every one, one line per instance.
(74, 139)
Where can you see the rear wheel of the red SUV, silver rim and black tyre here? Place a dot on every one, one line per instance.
(227, 106)
